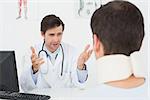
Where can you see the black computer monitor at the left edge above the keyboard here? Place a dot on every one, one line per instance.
(8, 72)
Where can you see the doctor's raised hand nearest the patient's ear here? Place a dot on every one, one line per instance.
(84, 56)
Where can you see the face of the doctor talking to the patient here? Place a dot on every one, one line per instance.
(53, 38)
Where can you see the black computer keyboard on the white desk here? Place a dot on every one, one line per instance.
(22, 96)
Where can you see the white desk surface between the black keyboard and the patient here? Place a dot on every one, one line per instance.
(61, 93)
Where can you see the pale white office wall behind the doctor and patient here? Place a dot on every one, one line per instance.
(19, 34)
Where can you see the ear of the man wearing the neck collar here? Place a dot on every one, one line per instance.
(97, 47)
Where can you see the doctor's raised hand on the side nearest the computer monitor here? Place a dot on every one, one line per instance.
(36, 61)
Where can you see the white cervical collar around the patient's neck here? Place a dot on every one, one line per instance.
(118, 67)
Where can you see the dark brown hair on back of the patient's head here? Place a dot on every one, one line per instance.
(119, 26)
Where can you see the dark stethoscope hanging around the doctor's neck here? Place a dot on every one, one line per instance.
(47, 55)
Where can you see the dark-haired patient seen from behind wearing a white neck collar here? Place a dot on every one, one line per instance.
(118, 32)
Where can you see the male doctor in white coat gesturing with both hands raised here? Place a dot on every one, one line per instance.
(54, 64)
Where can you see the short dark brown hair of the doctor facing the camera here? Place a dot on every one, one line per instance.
(51, 21)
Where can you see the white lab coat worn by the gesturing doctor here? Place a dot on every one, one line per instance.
(53, 78)
